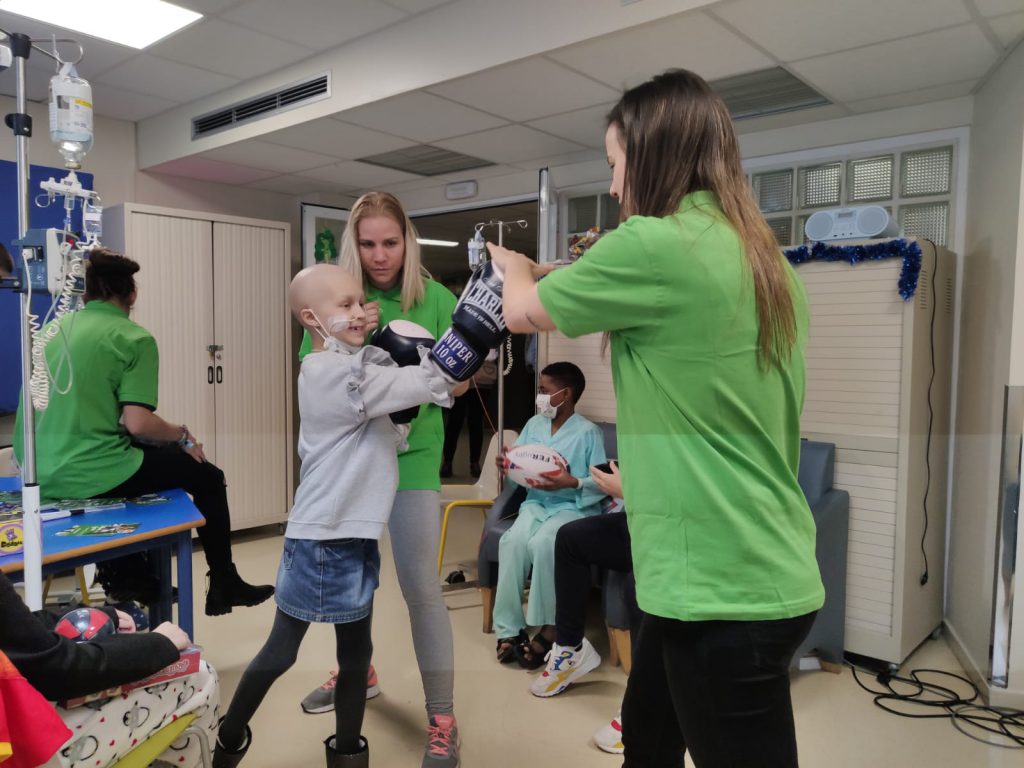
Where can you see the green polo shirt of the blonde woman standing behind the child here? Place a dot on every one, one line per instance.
(420, 466)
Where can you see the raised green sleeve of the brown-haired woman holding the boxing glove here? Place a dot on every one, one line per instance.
(615, 286)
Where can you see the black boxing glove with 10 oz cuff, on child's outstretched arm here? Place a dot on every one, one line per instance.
(478, 326)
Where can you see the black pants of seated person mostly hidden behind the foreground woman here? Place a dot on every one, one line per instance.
(603, 541)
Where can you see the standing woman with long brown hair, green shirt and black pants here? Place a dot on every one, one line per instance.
(708, 326)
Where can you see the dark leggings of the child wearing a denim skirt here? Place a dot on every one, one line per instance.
(355, 650)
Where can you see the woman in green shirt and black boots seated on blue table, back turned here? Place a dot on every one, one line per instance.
(89, 439)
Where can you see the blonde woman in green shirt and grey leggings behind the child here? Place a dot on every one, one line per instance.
(379, 246)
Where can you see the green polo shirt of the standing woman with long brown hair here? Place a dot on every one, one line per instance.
(709, 442)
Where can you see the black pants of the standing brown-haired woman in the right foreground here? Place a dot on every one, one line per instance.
(720, 690)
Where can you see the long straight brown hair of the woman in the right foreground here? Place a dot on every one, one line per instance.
(679, 139)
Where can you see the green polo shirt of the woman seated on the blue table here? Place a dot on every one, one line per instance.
(81, 447)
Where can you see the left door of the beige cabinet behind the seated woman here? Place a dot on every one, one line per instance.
(176, 305)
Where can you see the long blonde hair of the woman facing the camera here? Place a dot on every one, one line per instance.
(413, 273)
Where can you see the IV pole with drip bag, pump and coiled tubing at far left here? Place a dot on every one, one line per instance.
(53, 261)
